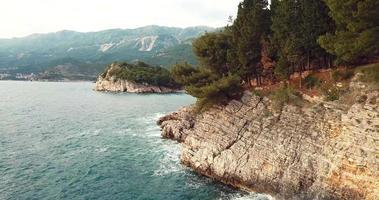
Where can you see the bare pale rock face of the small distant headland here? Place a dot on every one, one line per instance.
(111, 83)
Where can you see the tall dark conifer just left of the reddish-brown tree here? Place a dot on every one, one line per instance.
(251, 26)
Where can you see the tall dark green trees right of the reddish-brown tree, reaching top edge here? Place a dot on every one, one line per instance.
(296, 26)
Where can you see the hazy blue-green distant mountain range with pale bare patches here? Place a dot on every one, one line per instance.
(82, 56)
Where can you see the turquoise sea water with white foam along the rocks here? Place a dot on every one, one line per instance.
(65, 141)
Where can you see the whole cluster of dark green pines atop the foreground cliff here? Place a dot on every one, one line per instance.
(273, 41)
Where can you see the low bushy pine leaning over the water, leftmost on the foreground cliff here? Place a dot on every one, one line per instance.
(213, 81)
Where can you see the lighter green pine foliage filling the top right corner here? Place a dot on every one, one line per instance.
(357, 34)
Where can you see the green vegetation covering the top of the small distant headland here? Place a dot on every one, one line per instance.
(141, 73)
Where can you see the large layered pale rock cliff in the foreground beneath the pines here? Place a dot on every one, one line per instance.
(320, 151)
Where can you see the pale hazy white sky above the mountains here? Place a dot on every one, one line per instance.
(24, 17)
